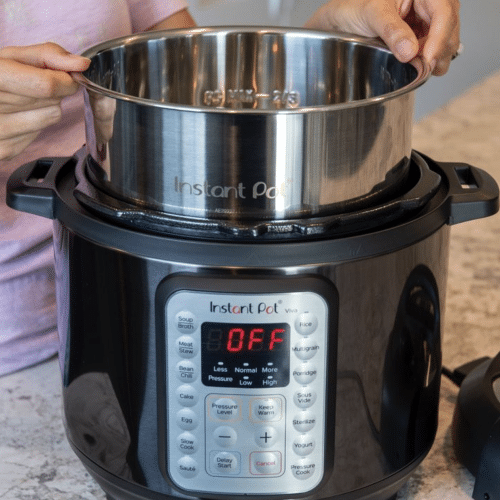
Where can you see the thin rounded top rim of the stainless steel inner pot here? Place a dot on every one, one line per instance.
(419, 63)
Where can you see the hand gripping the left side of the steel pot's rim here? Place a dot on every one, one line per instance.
(33, 81)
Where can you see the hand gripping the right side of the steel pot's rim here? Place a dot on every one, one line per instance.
(408, 27)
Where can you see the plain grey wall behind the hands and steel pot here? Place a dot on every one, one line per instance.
(480, 37)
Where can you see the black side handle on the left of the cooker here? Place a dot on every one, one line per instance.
(32, 187)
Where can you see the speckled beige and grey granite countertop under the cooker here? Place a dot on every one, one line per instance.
(36, 462)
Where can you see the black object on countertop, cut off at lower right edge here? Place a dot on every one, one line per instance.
(476, 429)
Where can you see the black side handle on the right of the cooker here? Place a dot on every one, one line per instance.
(473, 193)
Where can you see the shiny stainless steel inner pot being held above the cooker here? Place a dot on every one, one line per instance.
(248, 123)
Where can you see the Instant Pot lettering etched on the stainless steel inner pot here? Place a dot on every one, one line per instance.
(240, 192)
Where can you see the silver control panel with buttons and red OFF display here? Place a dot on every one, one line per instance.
(246, 391)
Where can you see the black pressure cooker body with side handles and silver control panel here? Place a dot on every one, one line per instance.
(296, 367)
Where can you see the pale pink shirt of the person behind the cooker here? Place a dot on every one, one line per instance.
(27, 301)
